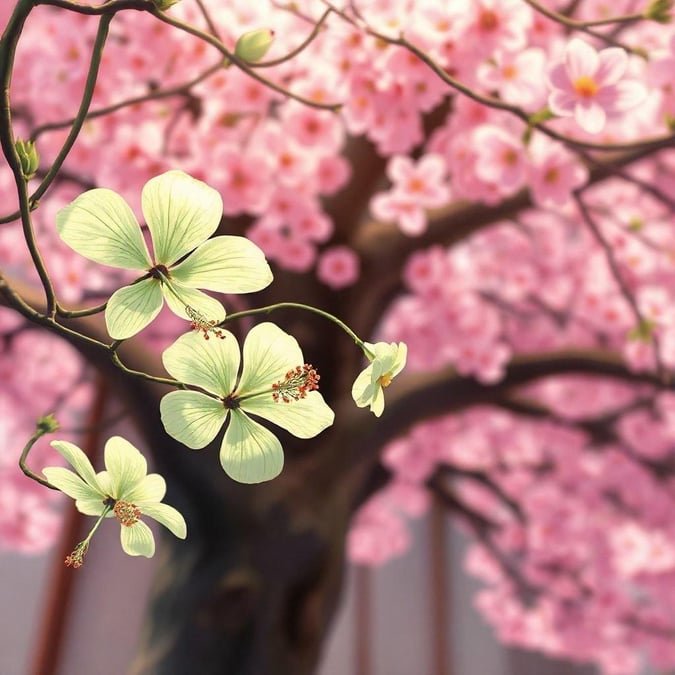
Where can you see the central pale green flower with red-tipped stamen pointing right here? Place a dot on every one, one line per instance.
(274, 384)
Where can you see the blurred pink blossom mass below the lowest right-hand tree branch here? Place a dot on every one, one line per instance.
(570, 529)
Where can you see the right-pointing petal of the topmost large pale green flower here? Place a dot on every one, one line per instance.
(227, 264)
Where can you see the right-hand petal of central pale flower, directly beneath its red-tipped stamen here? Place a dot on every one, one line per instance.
(304, 418)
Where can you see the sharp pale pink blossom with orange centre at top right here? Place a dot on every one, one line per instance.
(589, 85)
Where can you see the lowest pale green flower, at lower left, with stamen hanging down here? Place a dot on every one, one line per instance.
(124, 490)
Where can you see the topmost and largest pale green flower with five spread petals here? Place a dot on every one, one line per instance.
(181, 213)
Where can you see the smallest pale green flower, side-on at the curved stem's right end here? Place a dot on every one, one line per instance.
(386, 362)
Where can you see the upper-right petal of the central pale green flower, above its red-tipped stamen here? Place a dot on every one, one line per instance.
(269, 353)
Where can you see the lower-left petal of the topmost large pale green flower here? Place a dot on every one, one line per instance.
(132, 308)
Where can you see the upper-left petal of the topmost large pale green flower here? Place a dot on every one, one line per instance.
(100, 226)
